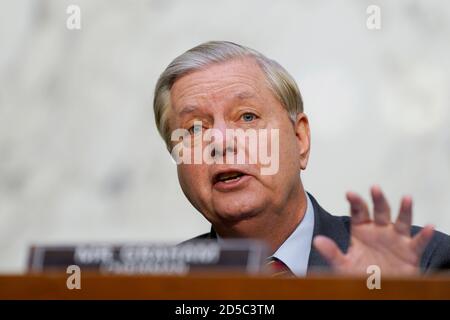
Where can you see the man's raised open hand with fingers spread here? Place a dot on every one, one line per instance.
(379, 241)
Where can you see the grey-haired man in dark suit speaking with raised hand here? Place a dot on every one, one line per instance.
(221, 86)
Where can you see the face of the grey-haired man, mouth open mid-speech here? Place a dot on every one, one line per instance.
(236, 95)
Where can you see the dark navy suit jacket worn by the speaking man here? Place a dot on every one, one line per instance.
(435, 257)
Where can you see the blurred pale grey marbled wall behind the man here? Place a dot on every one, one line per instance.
(81, 160)
